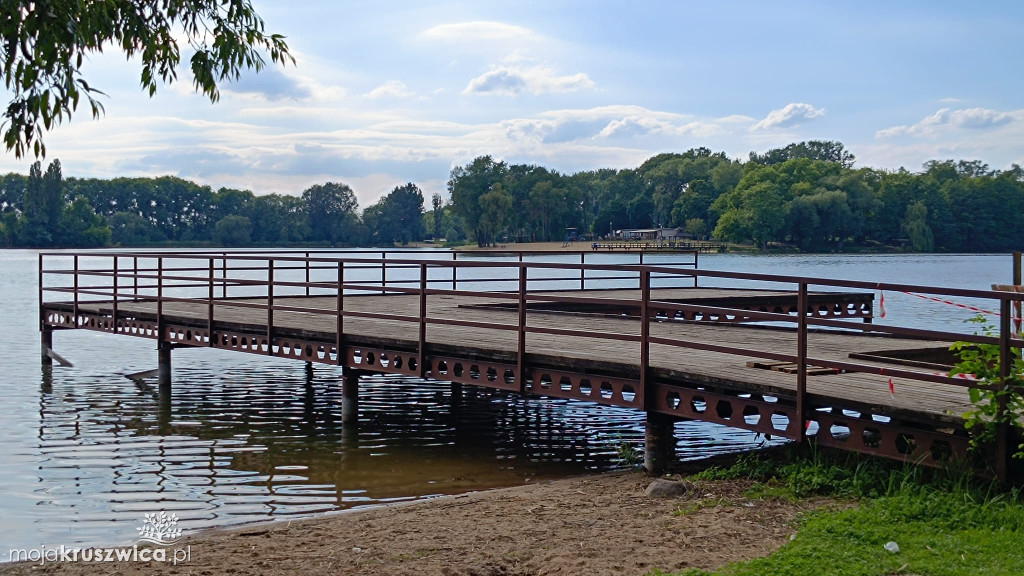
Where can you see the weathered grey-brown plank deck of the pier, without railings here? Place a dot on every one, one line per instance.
(917, 401)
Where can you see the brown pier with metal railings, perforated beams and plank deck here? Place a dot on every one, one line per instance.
(799, 363)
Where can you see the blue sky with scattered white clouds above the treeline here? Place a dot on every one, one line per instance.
(383, 94)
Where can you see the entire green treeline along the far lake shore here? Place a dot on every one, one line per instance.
(807, 195)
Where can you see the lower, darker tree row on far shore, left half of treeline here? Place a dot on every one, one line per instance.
(45, 210)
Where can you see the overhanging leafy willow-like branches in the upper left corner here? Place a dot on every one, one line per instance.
(47, 44)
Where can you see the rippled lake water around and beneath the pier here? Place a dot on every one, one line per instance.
(86, 452)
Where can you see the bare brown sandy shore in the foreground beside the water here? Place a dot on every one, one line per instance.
(594, 526)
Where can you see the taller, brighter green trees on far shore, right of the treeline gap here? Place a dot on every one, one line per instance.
(807, 195)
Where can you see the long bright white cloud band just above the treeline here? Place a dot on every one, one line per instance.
(285, 149)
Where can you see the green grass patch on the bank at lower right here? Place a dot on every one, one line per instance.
(945, 523)
